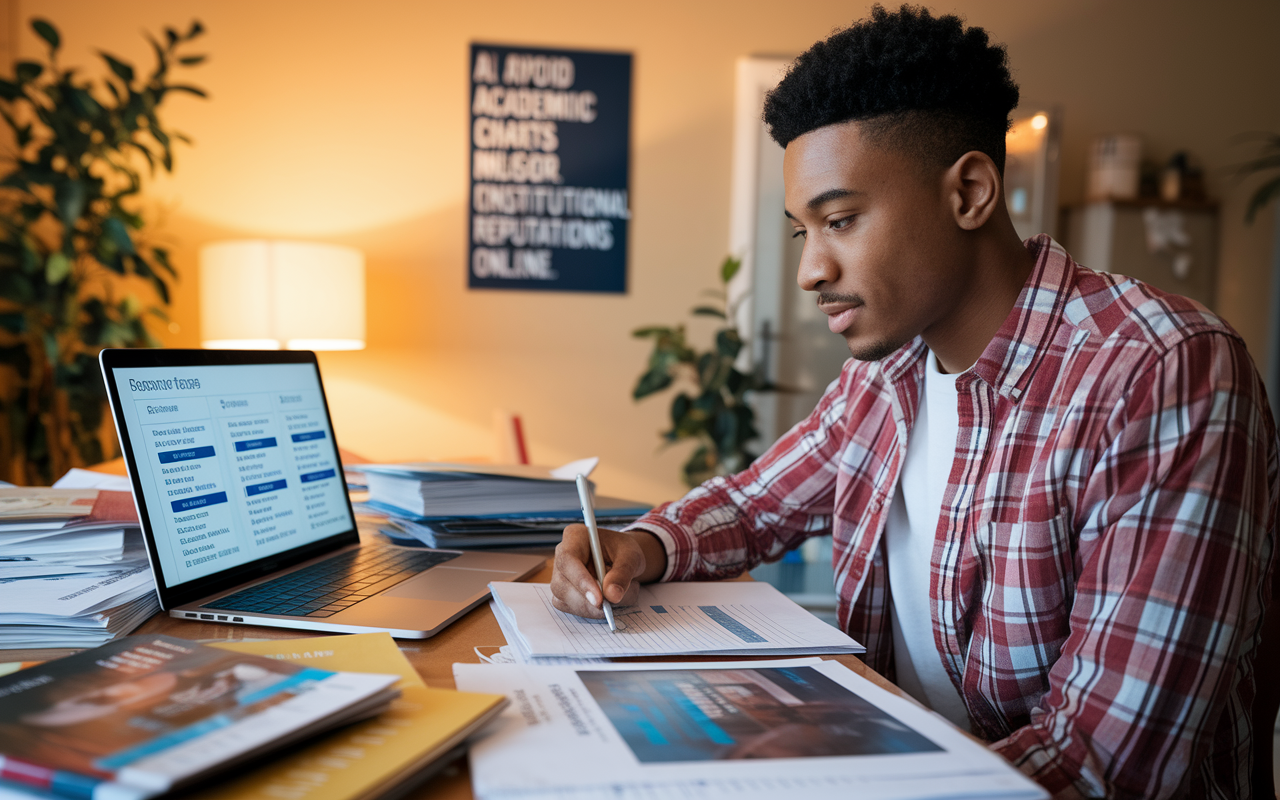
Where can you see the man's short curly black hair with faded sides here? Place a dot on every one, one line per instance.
(924, 84)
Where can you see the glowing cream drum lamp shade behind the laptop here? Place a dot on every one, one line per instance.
(266, 295)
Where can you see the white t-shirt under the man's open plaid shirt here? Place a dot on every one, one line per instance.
(911, 533)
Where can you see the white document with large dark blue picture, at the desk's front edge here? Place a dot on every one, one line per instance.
(732, 732)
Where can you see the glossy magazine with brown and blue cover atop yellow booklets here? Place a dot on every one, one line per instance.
(148, 715)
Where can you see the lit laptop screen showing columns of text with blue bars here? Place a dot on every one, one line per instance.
(236, 463)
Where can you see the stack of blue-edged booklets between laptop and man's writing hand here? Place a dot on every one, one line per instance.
(479, 506)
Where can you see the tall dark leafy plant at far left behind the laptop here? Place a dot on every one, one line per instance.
(74, 255)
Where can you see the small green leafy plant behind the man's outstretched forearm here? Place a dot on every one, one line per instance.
(715, 410)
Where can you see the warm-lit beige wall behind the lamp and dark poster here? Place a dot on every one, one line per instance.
(348, 122)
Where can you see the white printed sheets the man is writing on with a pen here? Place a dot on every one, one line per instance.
(714, 619)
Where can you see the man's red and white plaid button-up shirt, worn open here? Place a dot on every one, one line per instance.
(1105, 540)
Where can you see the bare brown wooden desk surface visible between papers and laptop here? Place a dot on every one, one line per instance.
(433, 659)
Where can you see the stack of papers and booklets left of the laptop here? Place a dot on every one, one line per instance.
(74, 568)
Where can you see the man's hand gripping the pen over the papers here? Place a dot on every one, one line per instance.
(630, 560)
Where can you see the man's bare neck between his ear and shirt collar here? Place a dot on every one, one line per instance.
(1002, 268)
